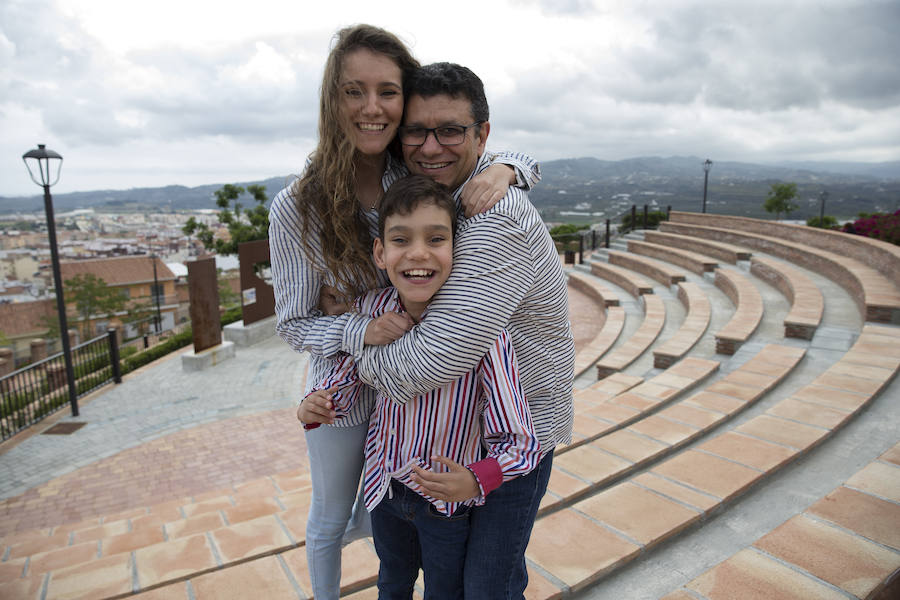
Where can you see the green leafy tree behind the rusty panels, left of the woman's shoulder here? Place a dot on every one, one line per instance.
(243, 225)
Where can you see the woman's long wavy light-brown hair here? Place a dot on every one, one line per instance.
(326, 194)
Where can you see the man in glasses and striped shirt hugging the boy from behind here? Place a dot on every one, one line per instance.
(506, 274)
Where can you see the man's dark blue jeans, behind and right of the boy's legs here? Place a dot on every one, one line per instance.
(499, 533)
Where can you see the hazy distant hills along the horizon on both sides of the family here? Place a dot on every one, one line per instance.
(591, 186)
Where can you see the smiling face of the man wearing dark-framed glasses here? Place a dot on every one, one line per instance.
(450, 165)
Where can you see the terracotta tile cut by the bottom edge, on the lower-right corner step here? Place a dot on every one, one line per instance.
(749, 575)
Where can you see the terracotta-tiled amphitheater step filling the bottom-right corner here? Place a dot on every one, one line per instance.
(849, 540)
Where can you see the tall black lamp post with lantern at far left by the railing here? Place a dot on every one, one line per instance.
(41, 159)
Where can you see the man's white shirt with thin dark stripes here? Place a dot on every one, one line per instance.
(506, 274)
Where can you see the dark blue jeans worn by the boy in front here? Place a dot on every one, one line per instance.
(409, 533)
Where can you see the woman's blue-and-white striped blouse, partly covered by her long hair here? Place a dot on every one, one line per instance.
(298, 279)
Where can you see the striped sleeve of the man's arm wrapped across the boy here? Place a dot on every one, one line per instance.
(492, 272)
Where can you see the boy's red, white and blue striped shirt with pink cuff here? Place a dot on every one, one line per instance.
(481, 420)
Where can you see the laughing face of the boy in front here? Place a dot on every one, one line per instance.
(417, 253)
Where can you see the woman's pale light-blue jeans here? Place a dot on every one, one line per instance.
(335, 464)
